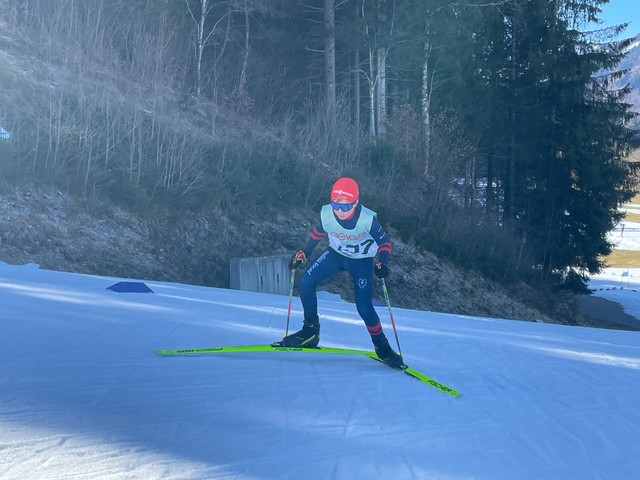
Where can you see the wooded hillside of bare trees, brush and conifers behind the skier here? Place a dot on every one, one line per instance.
(161, 139)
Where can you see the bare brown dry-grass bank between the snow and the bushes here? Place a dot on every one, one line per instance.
(61, 232)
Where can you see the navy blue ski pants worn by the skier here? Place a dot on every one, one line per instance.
(328, 264)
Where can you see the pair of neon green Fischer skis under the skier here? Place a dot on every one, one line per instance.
(331, 350)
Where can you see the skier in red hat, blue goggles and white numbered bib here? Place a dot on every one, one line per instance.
(355, 237)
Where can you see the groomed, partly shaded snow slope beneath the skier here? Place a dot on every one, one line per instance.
(83, 396)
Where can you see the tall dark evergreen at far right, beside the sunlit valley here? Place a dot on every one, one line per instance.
(567, 174)
